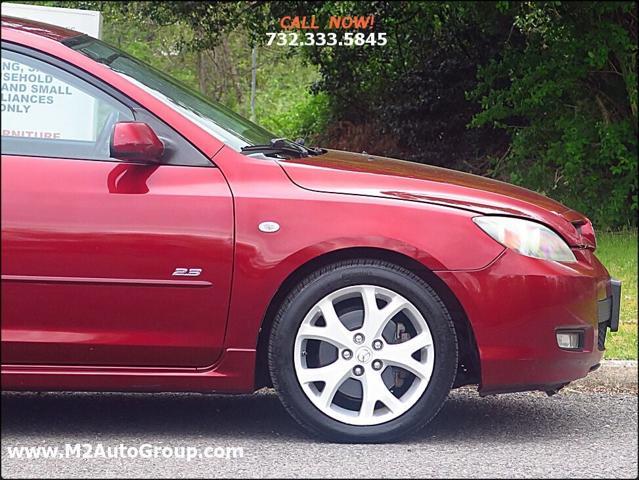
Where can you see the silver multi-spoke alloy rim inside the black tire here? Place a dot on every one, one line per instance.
(364, 355)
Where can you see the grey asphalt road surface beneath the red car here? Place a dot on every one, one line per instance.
(573, 434)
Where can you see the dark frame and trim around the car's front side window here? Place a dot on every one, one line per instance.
(199, 160)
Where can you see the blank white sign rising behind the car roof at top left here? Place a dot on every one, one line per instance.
(84, 21)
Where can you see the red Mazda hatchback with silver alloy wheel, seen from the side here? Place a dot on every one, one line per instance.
(153, 240)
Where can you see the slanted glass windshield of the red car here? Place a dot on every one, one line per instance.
(220, 121)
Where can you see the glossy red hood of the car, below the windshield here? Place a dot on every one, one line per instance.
(370, 175)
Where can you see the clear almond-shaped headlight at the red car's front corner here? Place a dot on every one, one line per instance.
(528, 238)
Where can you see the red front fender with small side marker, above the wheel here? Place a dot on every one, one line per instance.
(316, 223)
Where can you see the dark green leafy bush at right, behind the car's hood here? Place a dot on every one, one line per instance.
(565, 88)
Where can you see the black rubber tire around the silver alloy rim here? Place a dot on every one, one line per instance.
(329, 279)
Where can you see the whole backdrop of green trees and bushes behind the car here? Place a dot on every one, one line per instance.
(541, 94)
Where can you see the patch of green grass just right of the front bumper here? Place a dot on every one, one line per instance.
(618, 252)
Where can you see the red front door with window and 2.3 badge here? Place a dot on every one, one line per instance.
(105, 262)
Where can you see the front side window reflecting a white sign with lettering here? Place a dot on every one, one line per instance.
(48, 112)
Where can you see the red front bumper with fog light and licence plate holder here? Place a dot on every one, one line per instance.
(517, 304)
